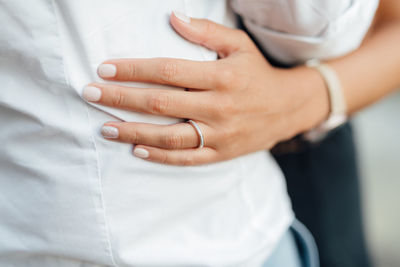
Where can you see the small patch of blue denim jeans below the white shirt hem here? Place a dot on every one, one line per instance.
(296, 249)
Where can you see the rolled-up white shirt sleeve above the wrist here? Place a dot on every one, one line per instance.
(293, 31)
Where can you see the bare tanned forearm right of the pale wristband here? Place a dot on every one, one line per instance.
(373, 70)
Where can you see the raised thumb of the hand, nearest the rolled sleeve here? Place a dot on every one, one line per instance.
(211, 35)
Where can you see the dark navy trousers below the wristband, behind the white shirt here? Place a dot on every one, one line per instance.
(324, 187)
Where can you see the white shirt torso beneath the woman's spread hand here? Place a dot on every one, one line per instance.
(68, 197)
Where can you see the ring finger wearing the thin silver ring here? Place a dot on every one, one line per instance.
(176, 136)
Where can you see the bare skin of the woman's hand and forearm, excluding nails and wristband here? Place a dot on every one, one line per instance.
(241, 103)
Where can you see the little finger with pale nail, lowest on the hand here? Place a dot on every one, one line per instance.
(186, 157)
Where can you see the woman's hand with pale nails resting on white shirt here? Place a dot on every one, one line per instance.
(241, 103)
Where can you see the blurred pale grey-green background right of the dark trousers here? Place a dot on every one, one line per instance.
(378, 137)
